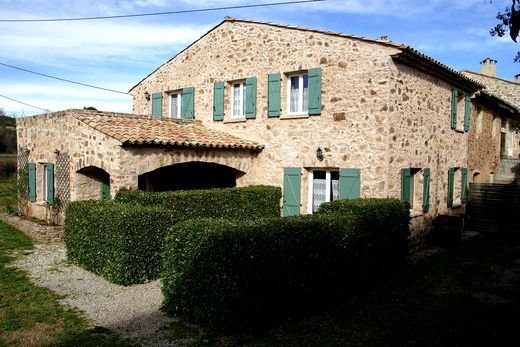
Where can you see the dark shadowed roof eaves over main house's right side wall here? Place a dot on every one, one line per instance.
(418, 60)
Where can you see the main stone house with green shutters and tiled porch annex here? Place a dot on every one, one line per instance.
(324, 115)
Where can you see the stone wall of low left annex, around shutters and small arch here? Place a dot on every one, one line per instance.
(47, 135)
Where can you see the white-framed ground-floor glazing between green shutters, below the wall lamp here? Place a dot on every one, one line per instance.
(324, 187)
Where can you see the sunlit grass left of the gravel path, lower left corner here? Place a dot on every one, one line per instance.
(31, 315)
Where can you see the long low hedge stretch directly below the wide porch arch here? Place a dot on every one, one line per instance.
(231, 203)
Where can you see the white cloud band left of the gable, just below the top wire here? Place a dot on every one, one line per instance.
(53, 43)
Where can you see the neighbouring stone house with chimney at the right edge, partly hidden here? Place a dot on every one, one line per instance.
(494, 143)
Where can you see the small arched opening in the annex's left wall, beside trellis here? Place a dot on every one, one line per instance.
(92, 183)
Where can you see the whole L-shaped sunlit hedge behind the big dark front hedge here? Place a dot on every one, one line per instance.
(123, 240)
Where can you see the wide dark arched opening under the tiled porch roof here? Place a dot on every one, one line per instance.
(187, 176)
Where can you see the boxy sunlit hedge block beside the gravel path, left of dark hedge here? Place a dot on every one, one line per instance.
(121, 242)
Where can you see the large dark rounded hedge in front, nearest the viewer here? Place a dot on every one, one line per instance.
(247, 275)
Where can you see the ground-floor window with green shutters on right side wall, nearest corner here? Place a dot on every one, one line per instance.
(415, 188)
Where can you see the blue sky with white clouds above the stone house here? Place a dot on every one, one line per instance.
(118, 53)
